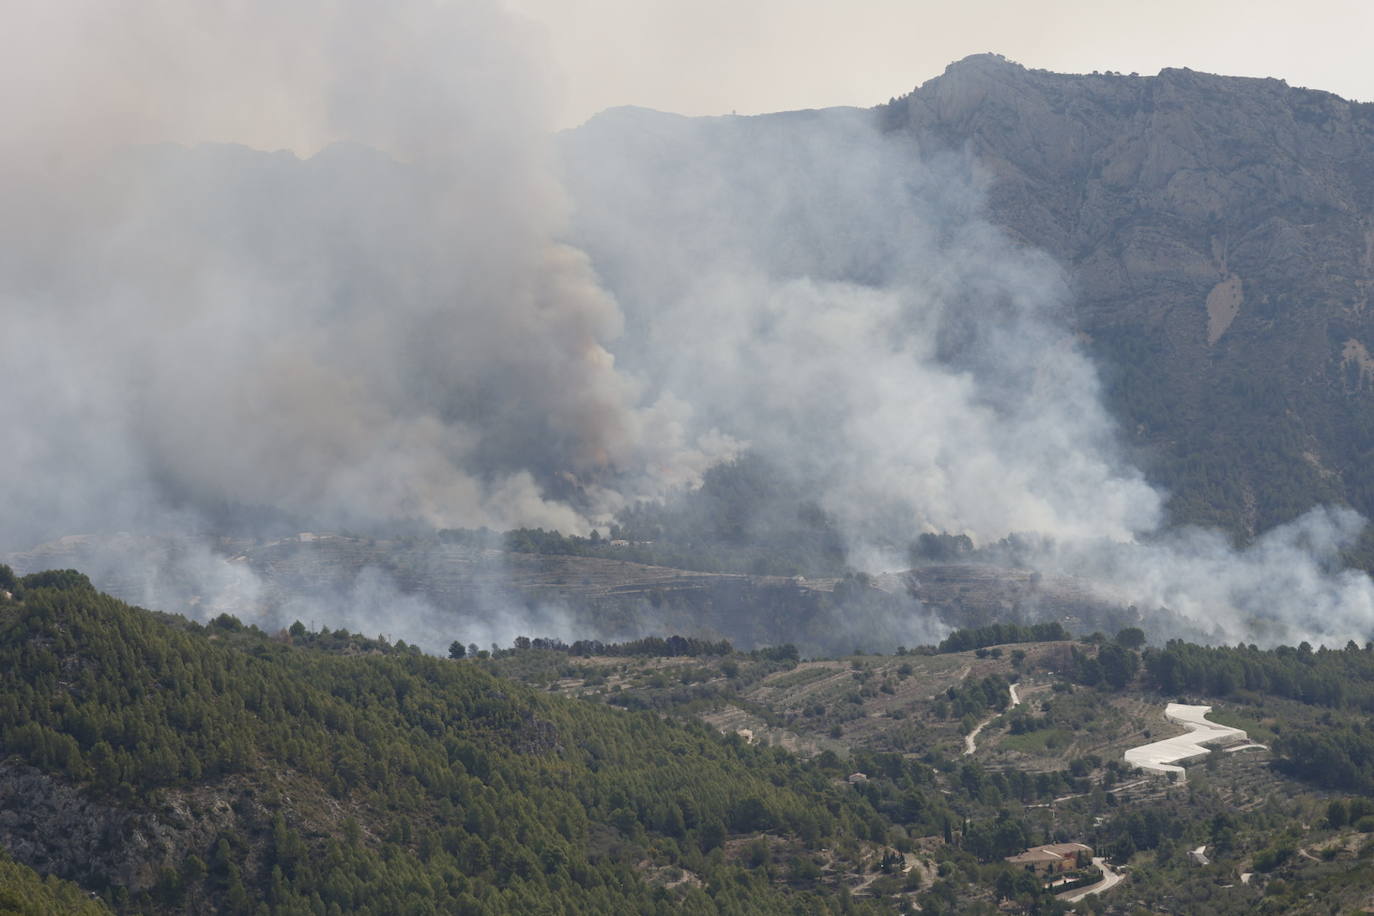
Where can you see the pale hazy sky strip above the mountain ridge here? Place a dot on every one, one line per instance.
(714, 57)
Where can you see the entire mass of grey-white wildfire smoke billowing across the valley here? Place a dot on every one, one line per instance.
(435, 312)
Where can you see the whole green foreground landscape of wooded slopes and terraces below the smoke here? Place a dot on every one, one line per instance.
(164, 767)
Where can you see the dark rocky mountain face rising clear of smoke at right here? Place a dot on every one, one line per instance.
(1219, 237)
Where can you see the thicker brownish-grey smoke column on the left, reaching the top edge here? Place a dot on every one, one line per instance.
(388, 329)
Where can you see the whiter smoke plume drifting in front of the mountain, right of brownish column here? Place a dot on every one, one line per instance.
(835, 295)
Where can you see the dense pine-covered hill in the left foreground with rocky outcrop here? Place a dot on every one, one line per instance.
(240, 768)
